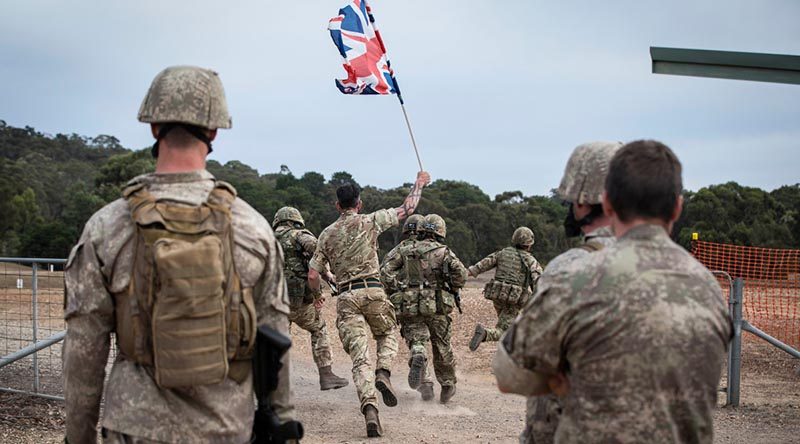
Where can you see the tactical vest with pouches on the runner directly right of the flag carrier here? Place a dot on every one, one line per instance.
(418, 295)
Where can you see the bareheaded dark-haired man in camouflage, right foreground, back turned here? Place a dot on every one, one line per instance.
(618, 334)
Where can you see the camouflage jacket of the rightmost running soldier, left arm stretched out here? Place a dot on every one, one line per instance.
(514, 266)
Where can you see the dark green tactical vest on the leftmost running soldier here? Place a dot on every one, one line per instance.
(295, 267)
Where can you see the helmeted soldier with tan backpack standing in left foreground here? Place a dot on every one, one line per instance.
(182, 271)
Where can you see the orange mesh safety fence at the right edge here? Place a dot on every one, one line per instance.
(771, 299)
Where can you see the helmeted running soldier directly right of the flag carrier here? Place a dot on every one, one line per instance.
(427, 276)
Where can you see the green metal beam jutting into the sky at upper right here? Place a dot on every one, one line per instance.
(773, 68)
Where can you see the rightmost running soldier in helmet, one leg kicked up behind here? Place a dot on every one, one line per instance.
(513, 283)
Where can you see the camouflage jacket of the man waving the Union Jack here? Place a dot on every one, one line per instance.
(350, 245)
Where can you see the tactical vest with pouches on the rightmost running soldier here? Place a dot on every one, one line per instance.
(512, 279)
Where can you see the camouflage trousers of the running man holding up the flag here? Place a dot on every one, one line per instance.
(360, 312)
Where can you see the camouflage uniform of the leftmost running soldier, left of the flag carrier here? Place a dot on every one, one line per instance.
(297, 243)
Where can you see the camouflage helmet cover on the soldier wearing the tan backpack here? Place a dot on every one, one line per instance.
(186, 94)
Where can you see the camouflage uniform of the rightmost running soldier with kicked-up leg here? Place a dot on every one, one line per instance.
(516, 267)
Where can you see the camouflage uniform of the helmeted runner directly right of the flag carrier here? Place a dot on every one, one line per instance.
(444, 275)
